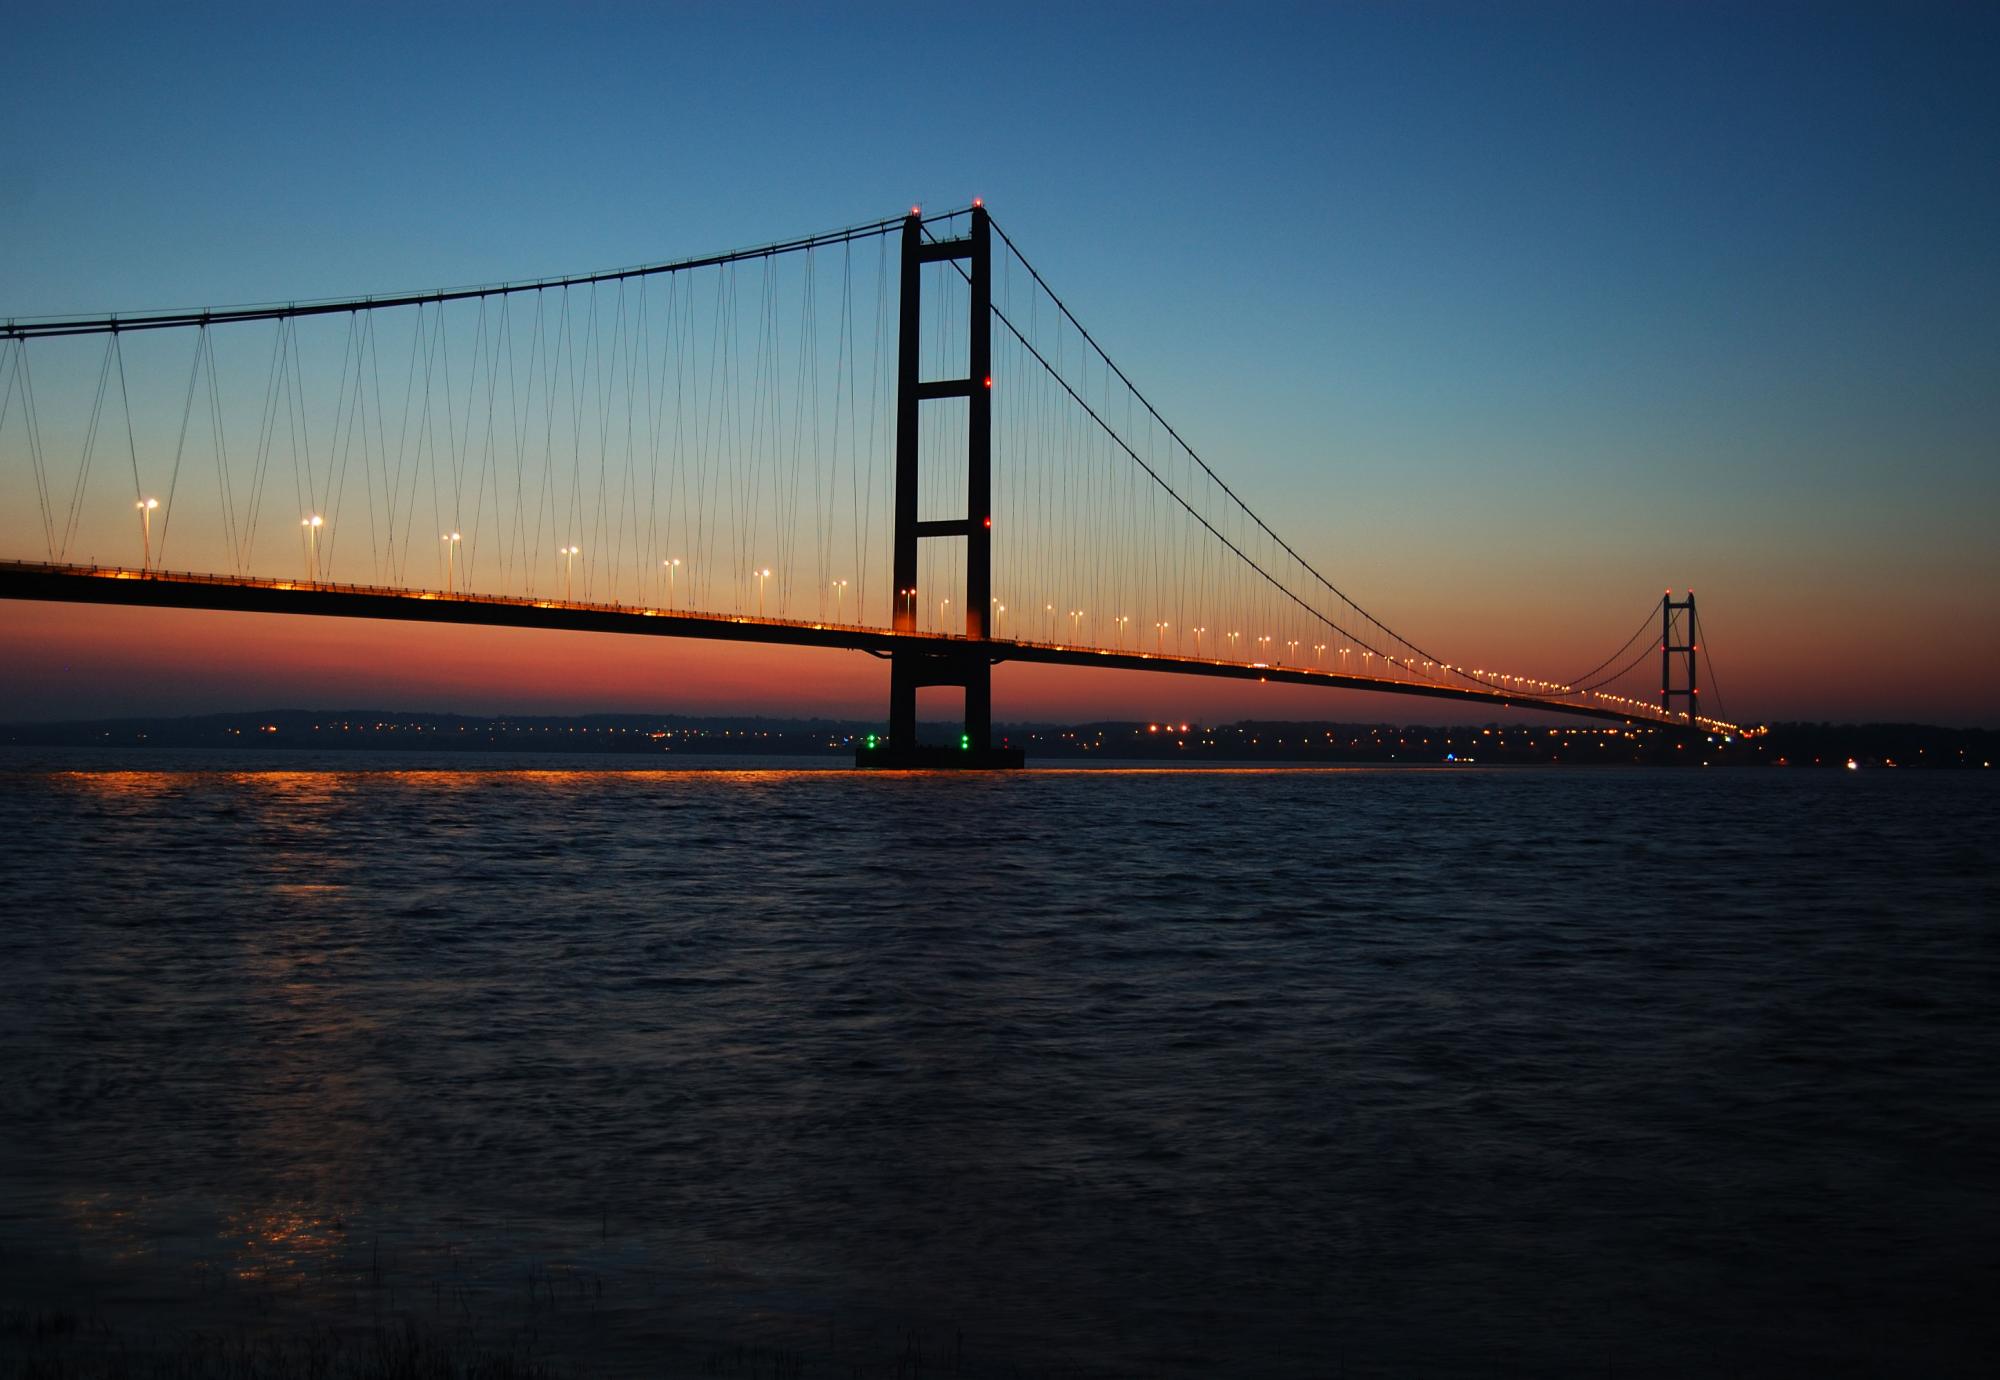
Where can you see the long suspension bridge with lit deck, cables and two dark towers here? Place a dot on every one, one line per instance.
(893, 439)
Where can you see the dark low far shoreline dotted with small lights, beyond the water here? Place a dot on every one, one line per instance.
(1247, 741)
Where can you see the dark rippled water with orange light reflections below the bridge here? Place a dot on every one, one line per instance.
(1073, 1073)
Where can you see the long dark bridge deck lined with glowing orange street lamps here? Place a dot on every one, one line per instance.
(163, 589)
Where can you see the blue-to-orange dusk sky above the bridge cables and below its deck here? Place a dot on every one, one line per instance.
(1511, 315)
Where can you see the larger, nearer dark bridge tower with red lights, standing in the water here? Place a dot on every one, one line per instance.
(969, 667)
